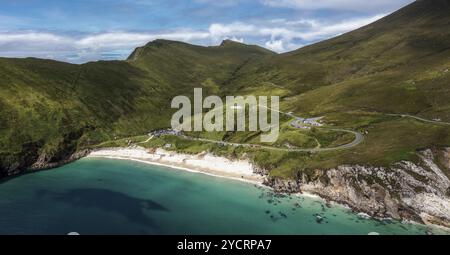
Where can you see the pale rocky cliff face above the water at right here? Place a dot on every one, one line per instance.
(416, 191)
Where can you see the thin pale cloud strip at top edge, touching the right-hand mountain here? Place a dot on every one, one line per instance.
(354, 5)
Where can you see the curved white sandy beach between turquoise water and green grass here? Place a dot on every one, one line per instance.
(205, 163)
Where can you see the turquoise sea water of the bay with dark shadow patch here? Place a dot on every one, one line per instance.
(106, 196)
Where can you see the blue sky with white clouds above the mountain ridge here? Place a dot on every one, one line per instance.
(79, 31)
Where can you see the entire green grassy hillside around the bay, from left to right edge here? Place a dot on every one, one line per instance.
(397, 65)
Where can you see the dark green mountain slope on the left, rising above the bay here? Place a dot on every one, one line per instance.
(56, 108)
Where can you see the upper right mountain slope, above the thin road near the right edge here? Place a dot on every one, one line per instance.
(397, 64)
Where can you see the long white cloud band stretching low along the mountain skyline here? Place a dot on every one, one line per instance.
(279, 35)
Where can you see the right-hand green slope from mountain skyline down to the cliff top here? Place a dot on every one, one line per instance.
(399, 64)
